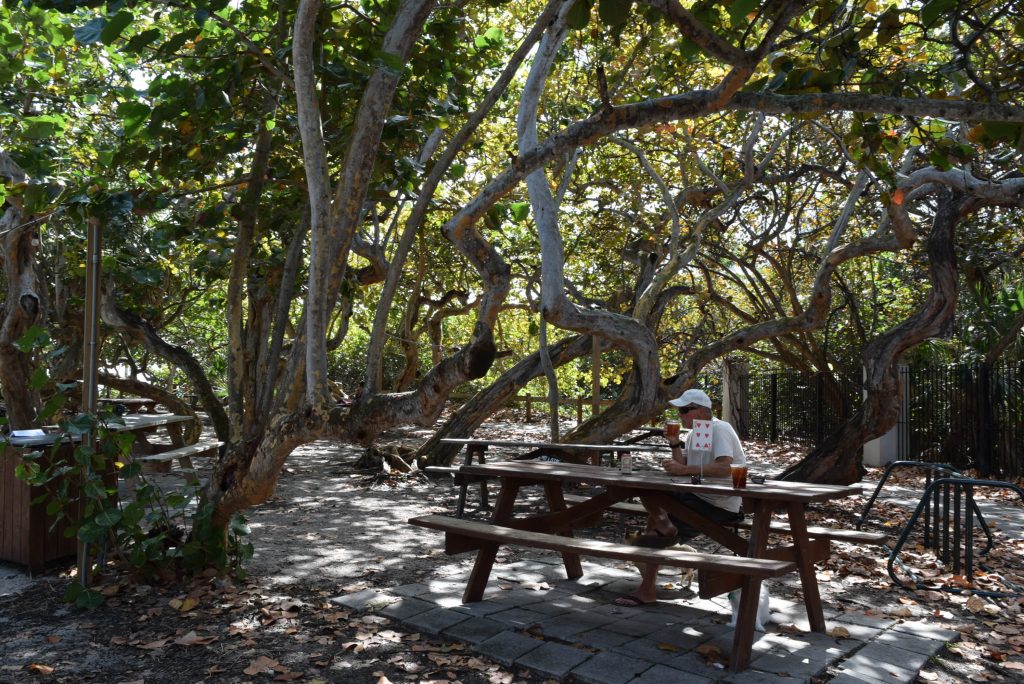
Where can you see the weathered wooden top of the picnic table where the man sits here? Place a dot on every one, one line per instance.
(659, 481)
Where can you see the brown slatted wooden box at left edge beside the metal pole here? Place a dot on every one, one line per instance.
(26, 534)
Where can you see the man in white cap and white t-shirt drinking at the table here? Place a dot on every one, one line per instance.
(665, 531)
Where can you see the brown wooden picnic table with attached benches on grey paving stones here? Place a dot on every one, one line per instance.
(554, 529)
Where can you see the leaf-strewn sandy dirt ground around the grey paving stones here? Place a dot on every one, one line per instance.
(332, 529)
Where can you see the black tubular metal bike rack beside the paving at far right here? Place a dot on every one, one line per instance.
(964, 506)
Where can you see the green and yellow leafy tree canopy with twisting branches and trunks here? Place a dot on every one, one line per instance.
(425, 198)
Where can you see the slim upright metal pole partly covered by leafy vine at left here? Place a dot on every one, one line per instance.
(91, 359)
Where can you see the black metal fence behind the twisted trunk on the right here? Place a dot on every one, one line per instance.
(969, 416)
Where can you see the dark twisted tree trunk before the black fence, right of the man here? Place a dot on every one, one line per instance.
(837, 461)
